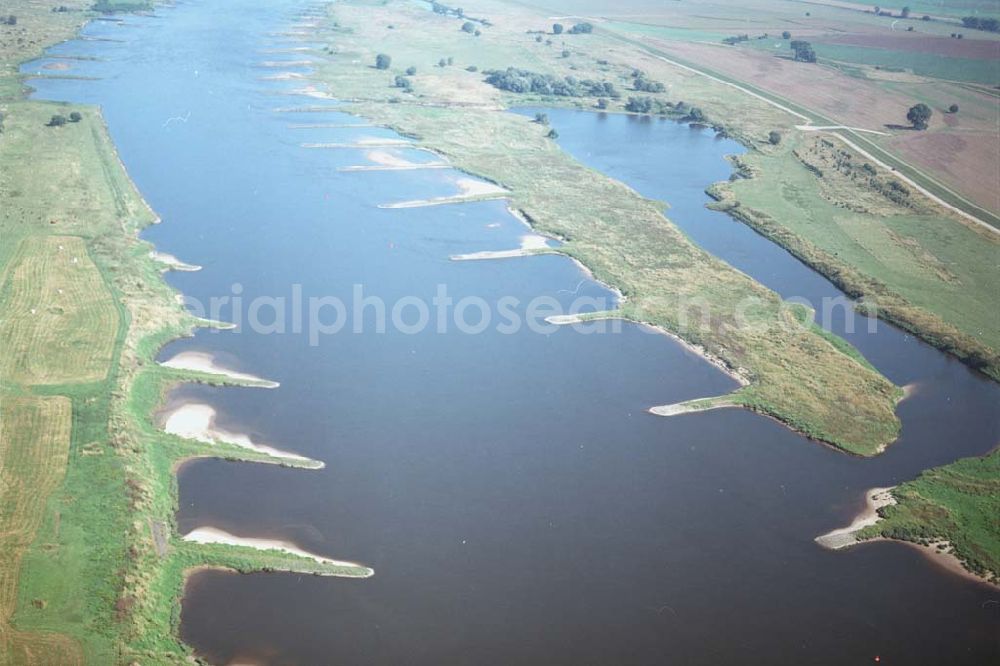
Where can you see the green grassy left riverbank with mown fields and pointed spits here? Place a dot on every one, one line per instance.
(91, 566)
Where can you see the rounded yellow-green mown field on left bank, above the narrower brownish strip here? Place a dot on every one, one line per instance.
(59, 319)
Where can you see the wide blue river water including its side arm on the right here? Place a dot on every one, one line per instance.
(517, 503)
